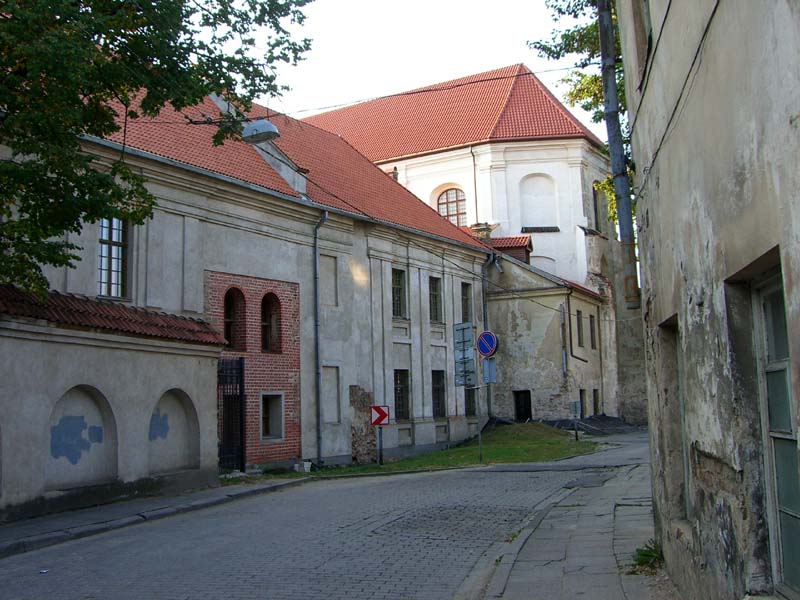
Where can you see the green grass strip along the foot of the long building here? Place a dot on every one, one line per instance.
(518, 443)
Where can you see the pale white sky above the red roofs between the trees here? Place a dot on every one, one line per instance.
(363, 49)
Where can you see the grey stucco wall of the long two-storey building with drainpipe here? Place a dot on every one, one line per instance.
(205, 225)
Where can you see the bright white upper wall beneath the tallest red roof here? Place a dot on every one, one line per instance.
(520, 184)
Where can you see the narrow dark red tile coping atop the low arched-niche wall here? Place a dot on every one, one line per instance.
(82, 312)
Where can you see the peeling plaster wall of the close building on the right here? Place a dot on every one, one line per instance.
(716, 139)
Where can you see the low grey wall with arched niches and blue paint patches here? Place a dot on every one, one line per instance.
(78, 425)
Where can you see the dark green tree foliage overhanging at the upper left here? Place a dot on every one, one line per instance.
(66, 63)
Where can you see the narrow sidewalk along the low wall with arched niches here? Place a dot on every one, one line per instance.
(30, 534)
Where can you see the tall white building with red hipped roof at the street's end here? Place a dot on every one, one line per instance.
(496, 151)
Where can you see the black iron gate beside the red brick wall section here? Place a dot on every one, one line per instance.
(230, 392)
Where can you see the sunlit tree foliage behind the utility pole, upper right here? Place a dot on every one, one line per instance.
(581, 42)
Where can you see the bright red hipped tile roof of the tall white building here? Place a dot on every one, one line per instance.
(501, 105)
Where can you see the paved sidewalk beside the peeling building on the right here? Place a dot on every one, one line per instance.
(581, 545)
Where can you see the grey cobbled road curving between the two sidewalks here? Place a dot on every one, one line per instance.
(396, 537)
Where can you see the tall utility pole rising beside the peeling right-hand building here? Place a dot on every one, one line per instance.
(622, 186)
